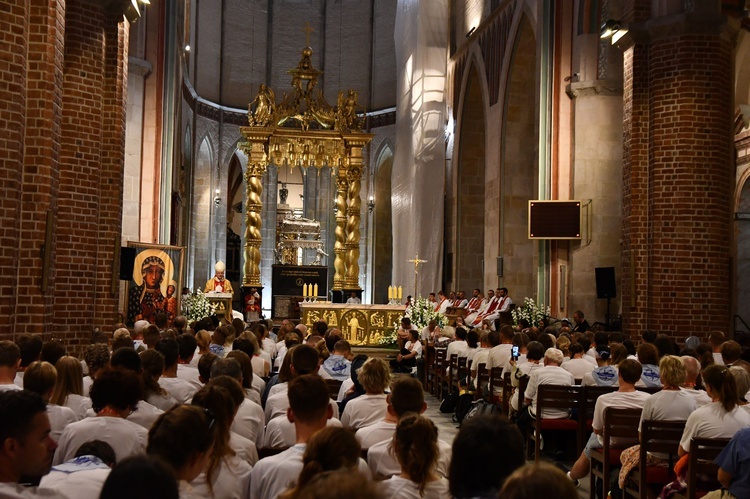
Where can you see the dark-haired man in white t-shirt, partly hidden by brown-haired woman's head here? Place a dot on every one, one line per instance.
(406, 398)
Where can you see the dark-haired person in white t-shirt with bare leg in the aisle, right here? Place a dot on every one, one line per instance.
(626, 397)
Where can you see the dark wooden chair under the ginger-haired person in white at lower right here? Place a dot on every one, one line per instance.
(656, 437)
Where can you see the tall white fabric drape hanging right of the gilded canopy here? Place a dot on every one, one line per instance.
(418, 180)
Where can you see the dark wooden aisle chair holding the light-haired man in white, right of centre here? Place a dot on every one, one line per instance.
(560, 397)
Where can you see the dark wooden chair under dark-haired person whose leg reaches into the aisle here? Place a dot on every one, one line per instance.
(623, 425)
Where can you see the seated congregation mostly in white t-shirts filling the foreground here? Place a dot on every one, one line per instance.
(225, 410)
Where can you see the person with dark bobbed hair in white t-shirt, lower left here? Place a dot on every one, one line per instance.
(114, 396)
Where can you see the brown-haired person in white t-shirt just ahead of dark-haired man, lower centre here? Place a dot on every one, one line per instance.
(374, 376)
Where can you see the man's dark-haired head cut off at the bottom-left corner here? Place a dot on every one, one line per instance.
(26, 447)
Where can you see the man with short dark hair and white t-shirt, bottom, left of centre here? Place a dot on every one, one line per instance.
(309, 410)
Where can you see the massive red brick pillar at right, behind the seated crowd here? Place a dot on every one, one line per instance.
(676, 174)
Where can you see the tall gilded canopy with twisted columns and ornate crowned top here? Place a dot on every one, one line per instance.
(303, 130)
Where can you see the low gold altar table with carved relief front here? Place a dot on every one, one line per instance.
(359, 324)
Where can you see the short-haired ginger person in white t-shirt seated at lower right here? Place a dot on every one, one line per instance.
(669, 404)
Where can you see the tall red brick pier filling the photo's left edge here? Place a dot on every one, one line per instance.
(62, 85)
